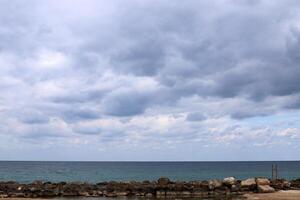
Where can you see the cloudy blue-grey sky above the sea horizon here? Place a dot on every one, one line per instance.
(150, 80)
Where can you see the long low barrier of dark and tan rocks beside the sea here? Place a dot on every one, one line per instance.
(162, 188)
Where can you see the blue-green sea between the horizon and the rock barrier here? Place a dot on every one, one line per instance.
(93, 172)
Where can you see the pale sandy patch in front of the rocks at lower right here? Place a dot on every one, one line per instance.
(280, 195)
